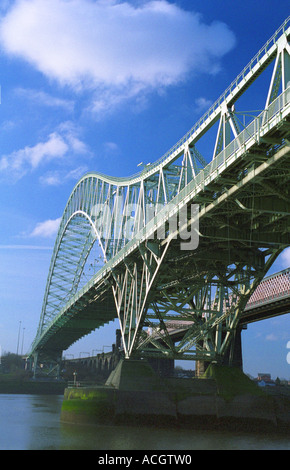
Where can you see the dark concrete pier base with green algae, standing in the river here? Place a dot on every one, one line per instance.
(135, 393)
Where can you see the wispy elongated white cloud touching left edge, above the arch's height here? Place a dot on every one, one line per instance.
(58, 145)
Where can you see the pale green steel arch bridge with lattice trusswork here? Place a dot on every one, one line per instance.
(183, 239)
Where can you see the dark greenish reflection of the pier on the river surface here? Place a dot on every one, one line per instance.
(137, 438)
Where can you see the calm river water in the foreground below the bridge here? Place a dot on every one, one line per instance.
(32, 422)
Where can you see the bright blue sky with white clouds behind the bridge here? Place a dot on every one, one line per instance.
(101, 85)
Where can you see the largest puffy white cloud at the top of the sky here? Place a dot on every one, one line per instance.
(113, 47)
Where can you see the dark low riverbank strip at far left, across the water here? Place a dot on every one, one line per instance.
(12, 384)
